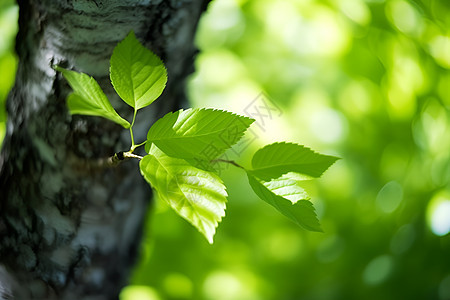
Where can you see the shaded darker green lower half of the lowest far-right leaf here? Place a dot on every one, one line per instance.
(302, 212)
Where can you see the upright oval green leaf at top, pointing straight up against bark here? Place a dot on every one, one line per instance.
(137, 74)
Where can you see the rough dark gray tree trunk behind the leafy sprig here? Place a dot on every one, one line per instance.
(70, 228)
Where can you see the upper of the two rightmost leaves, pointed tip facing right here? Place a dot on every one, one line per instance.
(277, 159)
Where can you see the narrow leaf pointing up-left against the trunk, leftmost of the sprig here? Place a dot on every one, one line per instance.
(88, 98)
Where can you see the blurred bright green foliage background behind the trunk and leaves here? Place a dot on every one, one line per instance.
(368, 81)
